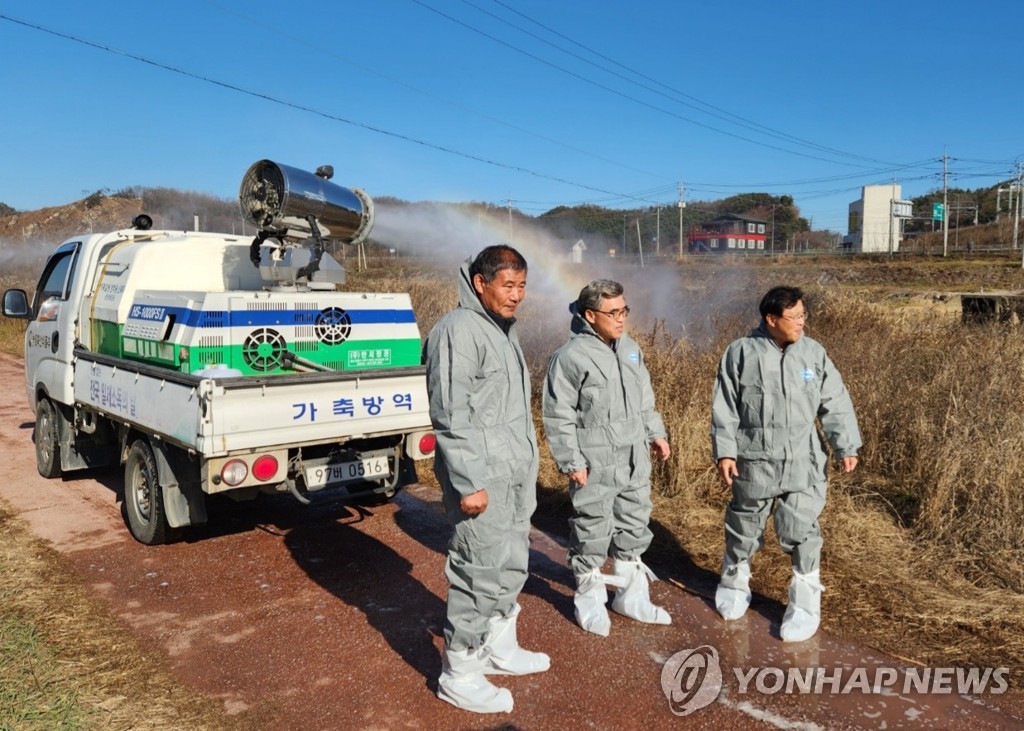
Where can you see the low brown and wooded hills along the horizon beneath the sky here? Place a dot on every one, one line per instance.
(178, 210)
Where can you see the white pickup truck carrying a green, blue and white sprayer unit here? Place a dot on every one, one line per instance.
(209, 364)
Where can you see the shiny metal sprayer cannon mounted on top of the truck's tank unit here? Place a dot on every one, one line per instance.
(298, 211)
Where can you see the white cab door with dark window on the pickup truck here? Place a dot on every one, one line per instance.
(49, 338)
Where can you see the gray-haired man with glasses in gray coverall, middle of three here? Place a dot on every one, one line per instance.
(602, 425)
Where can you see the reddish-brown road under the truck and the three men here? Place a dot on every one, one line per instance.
(330, 618)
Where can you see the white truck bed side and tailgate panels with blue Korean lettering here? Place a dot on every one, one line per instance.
(217, 417)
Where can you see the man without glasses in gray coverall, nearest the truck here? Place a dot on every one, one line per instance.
(487, 463)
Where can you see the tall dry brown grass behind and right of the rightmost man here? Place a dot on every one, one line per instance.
(924, 542)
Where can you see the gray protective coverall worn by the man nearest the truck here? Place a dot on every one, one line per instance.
(480, 406)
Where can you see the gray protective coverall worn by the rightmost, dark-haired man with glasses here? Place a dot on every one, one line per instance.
(764, 412)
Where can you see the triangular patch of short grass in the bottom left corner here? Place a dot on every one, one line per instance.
(69, 664)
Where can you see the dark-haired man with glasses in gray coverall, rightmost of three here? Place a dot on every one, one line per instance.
(773, 388)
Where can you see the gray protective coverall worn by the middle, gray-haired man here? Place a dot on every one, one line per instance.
(600, 414)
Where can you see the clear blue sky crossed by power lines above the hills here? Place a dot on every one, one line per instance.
(541, 103)
